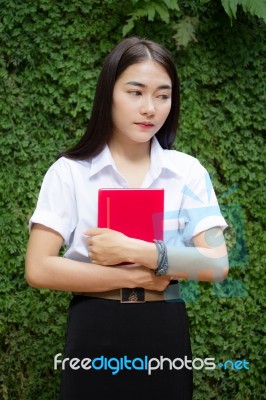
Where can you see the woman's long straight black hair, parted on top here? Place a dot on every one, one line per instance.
(129, 51)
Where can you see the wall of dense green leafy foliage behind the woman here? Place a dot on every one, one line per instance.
(50, 57)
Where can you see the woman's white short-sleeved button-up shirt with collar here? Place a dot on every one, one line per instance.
(68, 198)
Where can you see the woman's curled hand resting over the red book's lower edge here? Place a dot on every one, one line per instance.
(107, 247)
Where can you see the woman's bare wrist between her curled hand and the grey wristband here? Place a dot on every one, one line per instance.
(143, 253)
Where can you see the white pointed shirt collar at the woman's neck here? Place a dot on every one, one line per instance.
(160, 160)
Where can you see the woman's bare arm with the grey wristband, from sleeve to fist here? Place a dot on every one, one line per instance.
(207, 260)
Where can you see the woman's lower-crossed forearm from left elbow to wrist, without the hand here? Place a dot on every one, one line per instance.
(54, 272)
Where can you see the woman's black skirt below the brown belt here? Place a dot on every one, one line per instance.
(129, 351)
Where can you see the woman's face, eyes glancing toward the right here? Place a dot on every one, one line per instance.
(141, 102)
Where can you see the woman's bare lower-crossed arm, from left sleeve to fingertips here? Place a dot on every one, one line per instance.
(46, 269)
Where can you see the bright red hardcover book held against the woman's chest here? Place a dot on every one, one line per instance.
(138, 213)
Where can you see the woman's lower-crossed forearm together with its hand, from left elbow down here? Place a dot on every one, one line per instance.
(59, 273)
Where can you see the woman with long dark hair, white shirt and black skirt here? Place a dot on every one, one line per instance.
(132, 127)
